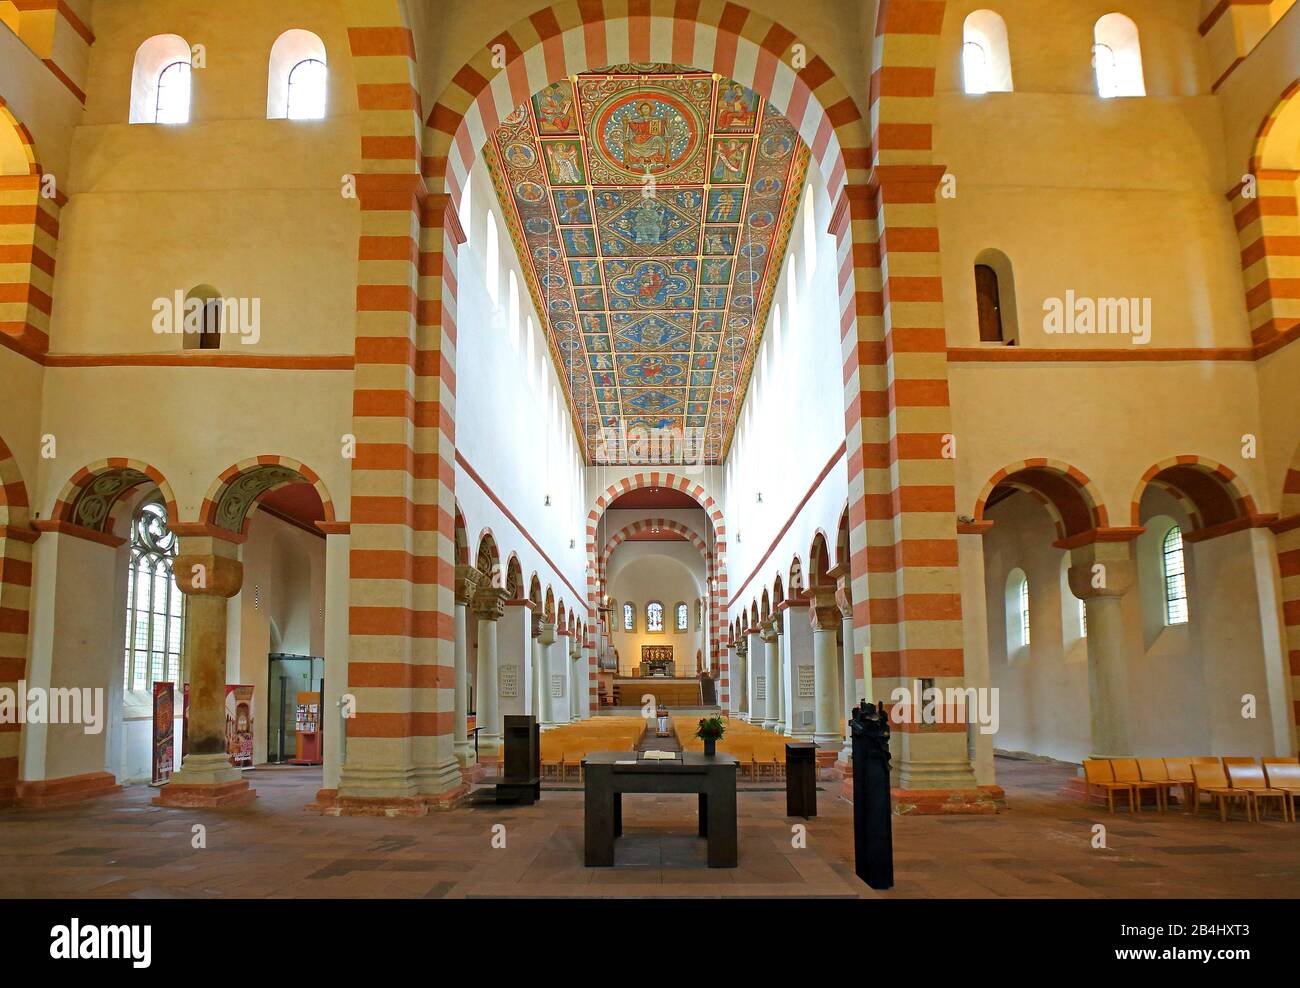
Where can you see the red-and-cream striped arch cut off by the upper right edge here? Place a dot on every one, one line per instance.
(1268, 226)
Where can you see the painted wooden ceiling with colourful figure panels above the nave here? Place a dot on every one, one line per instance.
(652, 207)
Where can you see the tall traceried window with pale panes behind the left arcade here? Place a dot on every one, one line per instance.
(154, 604)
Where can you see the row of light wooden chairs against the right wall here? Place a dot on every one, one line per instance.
(1227, 781)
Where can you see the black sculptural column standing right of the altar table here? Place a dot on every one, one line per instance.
(873, 817)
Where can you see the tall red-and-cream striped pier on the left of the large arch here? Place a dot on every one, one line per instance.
(402, 580)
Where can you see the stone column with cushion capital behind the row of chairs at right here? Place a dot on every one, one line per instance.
(1100, 577)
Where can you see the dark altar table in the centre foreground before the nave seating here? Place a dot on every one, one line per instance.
(606, 781)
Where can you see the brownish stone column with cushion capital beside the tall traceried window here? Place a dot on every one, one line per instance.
(209, 574)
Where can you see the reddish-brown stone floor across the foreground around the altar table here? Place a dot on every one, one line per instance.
(1041, 847)
